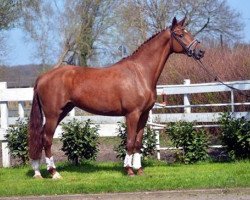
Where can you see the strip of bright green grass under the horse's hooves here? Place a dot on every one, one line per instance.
(92, 177)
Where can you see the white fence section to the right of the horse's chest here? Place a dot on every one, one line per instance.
(210, 118)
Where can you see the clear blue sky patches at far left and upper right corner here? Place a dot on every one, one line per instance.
(22, 52)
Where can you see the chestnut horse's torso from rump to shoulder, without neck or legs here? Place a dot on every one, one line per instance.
(114, 90)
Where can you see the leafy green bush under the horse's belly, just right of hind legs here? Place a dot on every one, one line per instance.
(80, 140)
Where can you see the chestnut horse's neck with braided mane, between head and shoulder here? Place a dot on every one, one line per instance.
(152, 56)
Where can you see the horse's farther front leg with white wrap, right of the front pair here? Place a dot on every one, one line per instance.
(138, 143)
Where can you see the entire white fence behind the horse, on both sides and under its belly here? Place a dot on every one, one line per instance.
(108, 125)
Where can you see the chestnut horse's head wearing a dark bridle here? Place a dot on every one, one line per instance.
(183, 41)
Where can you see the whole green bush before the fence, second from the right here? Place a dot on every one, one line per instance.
(193, 142)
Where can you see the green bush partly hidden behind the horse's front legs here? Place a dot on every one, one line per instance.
(148, 142)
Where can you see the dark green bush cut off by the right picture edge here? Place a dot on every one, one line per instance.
(235, 136)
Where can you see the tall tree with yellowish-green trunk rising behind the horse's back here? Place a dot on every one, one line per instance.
(86, 23)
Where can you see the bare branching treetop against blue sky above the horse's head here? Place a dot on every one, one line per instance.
(210, 17)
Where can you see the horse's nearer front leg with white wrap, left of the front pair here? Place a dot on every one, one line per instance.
(132, 123)
